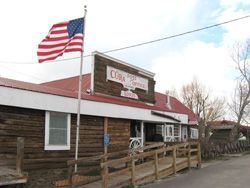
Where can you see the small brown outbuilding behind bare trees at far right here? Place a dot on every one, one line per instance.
(223, 131)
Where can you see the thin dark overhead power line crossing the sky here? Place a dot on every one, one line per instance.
(144, 43)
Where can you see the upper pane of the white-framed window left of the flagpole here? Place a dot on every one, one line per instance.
(58, 120)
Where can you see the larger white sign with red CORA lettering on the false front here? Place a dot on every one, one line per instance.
(128, 80)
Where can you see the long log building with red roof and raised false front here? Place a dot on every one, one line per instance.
(45, 114)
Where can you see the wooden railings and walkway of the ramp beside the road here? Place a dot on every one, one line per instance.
(136, 166)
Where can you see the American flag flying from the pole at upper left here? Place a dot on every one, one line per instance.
(63, 37)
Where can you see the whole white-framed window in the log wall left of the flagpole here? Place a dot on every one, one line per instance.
(57, 131)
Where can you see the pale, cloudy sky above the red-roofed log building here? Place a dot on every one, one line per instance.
(112, 24)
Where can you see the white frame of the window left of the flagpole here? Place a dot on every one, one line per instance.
(48, 146)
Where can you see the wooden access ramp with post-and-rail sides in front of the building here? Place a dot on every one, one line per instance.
(144, 167)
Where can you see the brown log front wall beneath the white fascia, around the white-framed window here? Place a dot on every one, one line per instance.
(30, 124)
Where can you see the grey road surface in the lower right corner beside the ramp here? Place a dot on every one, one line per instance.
(232, 173)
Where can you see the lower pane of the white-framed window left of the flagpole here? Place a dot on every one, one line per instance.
(58, 137)
